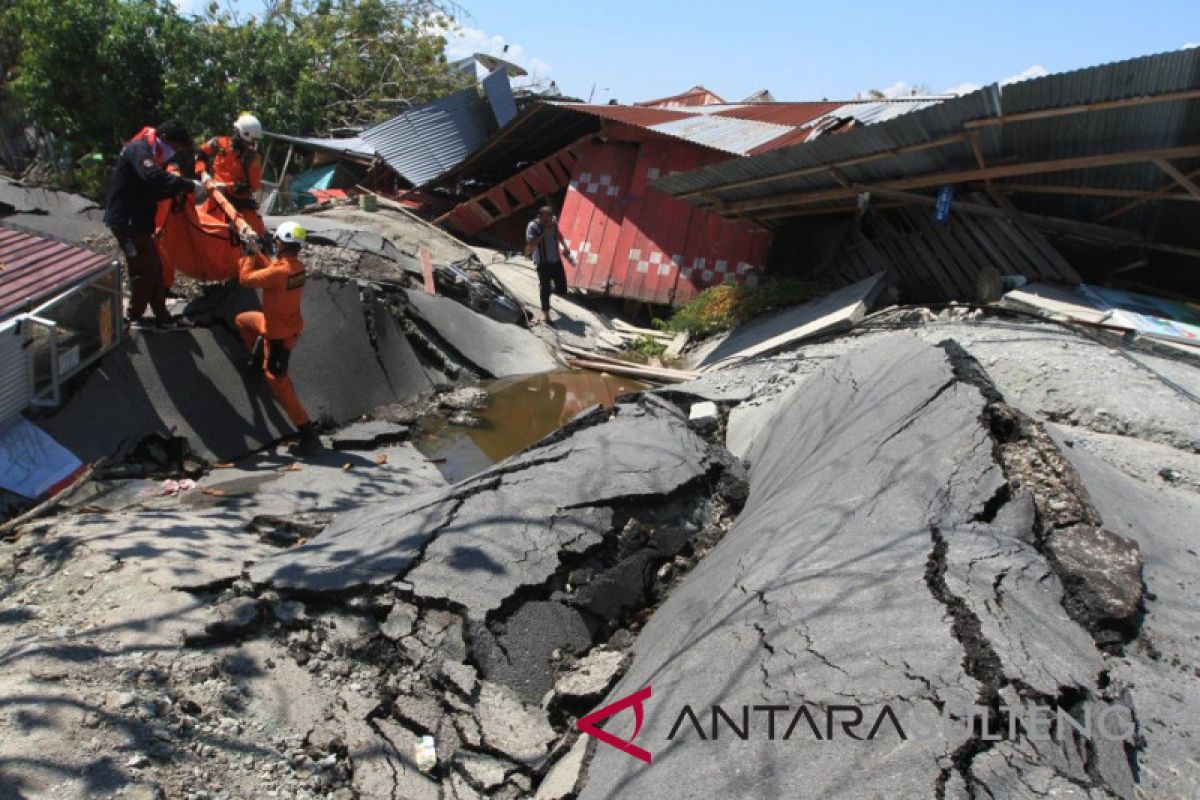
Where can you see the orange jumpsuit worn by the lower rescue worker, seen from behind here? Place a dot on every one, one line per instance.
(280, 323)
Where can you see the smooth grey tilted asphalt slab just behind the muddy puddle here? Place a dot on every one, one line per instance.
(495, 350)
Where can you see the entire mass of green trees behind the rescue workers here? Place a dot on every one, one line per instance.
(93, 73)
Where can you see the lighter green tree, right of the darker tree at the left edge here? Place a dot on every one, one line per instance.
(313, 65)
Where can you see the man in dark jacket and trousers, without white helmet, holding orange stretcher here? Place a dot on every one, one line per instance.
(142, 181)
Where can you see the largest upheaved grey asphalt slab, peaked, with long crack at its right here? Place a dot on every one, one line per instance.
(848, 579)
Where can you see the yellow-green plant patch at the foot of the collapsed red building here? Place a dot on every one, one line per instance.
(730, 305)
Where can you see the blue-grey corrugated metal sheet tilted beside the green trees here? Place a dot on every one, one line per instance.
(429, 141)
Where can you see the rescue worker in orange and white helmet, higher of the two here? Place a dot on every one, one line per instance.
(236, 169)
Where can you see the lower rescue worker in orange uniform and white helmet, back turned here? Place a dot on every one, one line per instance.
(272, 334)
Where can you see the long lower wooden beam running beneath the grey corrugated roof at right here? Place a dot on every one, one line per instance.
(965, 176)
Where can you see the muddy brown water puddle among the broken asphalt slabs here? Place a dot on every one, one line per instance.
(520, 412)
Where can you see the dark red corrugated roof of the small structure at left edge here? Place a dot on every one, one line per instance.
(33, 268)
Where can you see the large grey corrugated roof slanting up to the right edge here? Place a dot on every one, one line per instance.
(1141, 106)
